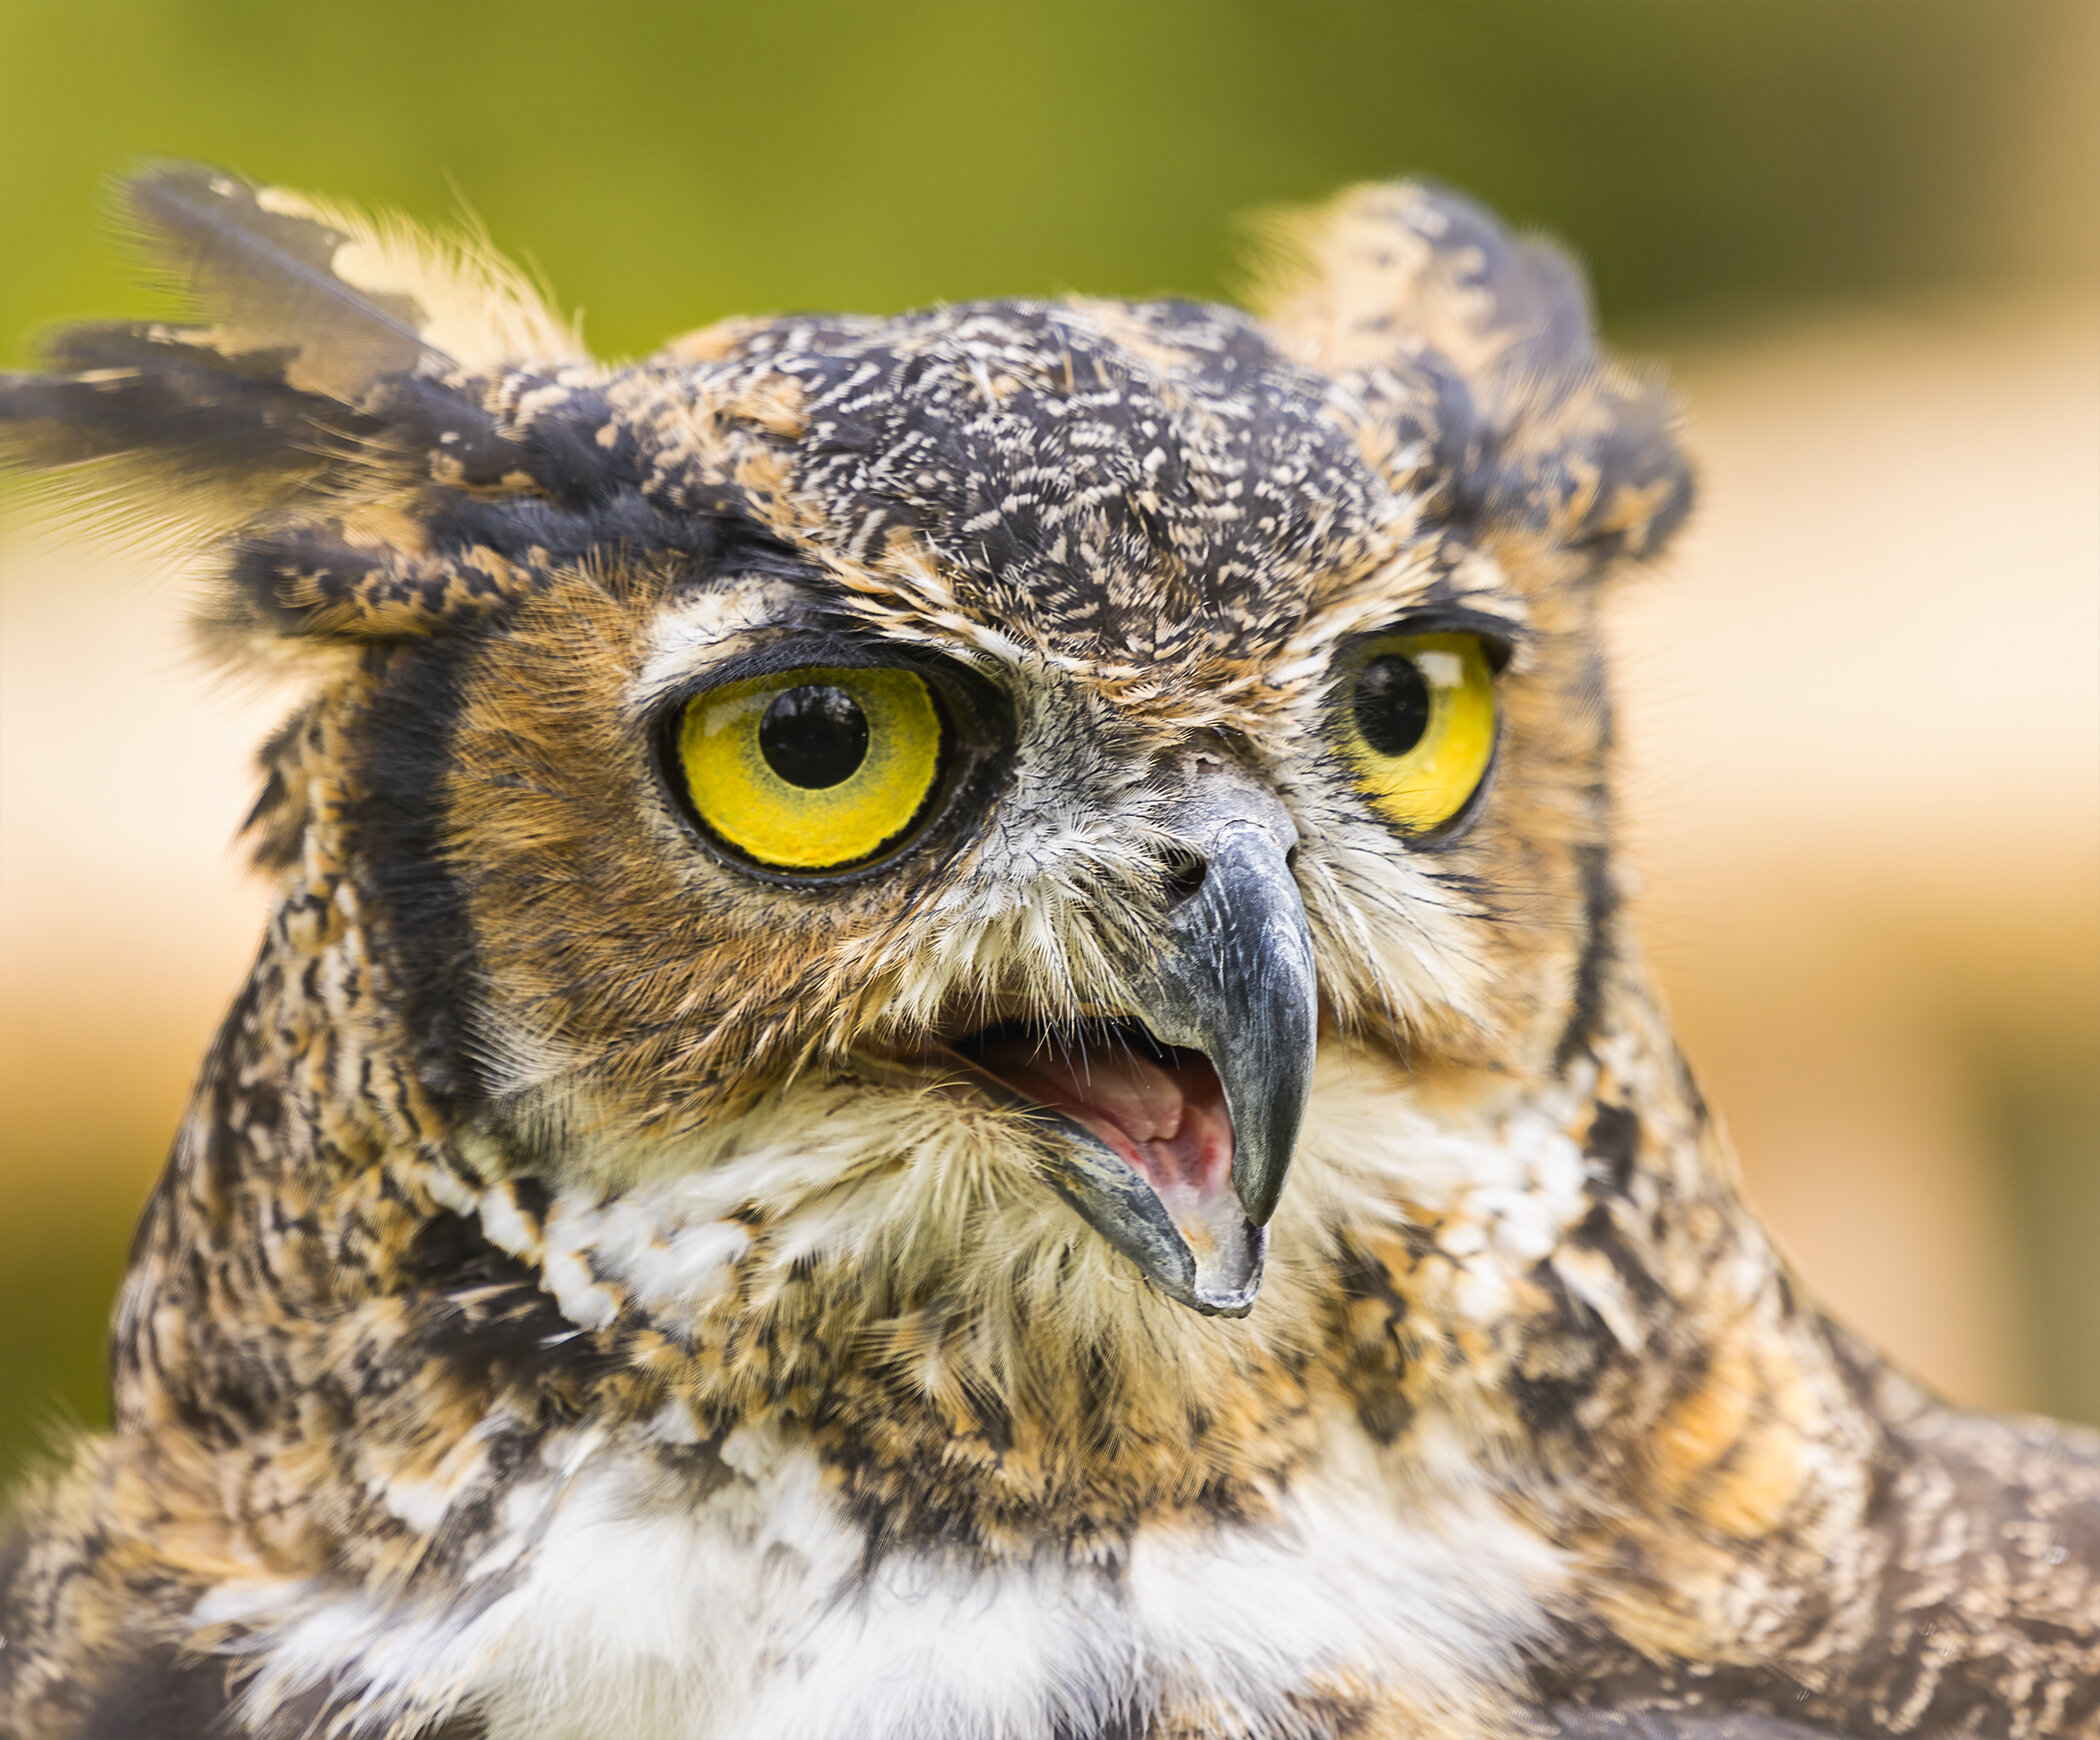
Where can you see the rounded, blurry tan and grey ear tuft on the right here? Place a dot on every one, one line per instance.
(1473, 358)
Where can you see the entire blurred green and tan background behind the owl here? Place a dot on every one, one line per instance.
(1862, 708)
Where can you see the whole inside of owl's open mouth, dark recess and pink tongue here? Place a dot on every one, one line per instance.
(1158, 1107)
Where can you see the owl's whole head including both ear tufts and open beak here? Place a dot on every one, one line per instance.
(969, 767)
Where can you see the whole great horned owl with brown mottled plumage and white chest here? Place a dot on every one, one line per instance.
(948, 1048)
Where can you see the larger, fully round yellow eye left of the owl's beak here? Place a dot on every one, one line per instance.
(814, 769)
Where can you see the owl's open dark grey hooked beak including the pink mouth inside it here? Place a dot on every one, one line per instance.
(1179, 1122)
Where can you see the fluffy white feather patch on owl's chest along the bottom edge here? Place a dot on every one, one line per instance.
(770, 1611)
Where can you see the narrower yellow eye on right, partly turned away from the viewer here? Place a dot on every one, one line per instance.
(1416, 715)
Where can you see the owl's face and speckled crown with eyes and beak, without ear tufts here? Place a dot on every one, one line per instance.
(1095, 805)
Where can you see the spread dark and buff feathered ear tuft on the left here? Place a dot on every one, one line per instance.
(337, 406)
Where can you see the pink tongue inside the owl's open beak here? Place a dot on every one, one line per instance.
(1167, 1120)
